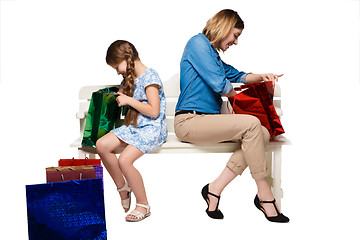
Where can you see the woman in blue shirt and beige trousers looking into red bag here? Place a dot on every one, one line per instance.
(204, 78)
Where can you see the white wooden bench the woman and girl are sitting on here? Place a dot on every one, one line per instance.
(173, 145)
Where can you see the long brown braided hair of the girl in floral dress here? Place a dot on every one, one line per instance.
(117, 52)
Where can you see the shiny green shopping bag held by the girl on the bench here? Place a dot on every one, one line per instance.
(104, 114)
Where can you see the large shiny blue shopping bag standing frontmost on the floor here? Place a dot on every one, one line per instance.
(70, 210)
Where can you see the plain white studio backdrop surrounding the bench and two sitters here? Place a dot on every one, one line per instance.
(49, 49)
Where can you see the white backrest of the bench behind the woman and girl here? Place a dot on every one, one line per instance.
(172, 91)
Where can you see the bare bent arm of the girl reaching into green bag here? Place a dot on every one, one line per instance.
(150, 109)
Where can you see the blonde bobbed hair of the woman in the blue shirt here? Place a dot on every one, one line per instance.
(220, 25)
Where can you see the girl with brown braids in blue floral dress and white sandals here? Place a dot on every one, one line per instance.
(144, 129)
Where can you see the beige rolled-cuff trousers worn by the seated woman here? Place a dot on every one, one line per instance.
(217, 128)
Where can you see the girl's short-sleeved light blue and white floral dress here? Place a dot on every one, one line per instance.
(150, 133)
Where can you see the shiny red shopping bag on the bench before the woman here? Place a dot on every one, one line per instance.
(257, 100)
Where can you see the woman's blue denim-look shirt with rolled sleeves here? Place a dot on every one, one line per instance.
(204, 77)
